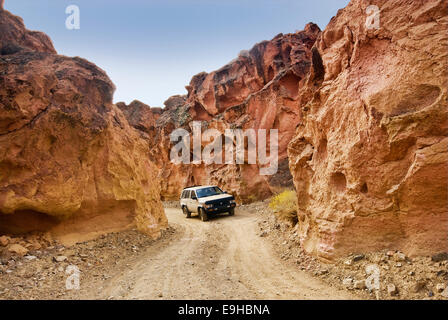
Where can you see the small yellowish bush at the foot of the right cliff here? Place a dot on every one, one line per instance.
(284, 206)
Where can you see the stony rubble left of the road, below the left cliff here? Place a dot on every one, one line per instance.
(42, 272)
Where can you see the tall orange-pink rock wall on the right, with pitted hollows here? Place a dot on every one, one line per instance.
(370, 160)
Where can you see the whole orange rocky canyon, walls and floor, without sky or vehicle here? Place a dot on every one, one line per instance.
(361, 115)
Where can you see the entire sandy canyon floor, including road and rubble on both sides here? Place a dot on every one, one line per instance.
(248, 256)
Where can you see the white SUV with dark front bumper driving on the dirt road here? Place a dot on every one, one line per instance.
(206, 200)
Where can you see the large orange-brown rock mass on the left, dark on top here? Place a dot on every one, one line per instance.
(70, 163)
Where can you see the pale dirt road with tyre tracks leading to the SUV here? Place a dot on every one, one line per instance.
(223, 258)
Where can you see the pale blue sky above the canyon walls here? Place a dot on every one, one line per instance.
(151, 49)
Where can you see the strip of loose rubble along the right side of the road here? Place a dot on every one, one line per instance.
(400, 276)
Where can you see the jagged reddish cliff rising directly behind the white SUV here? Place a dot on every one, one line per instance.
(258, 90)
